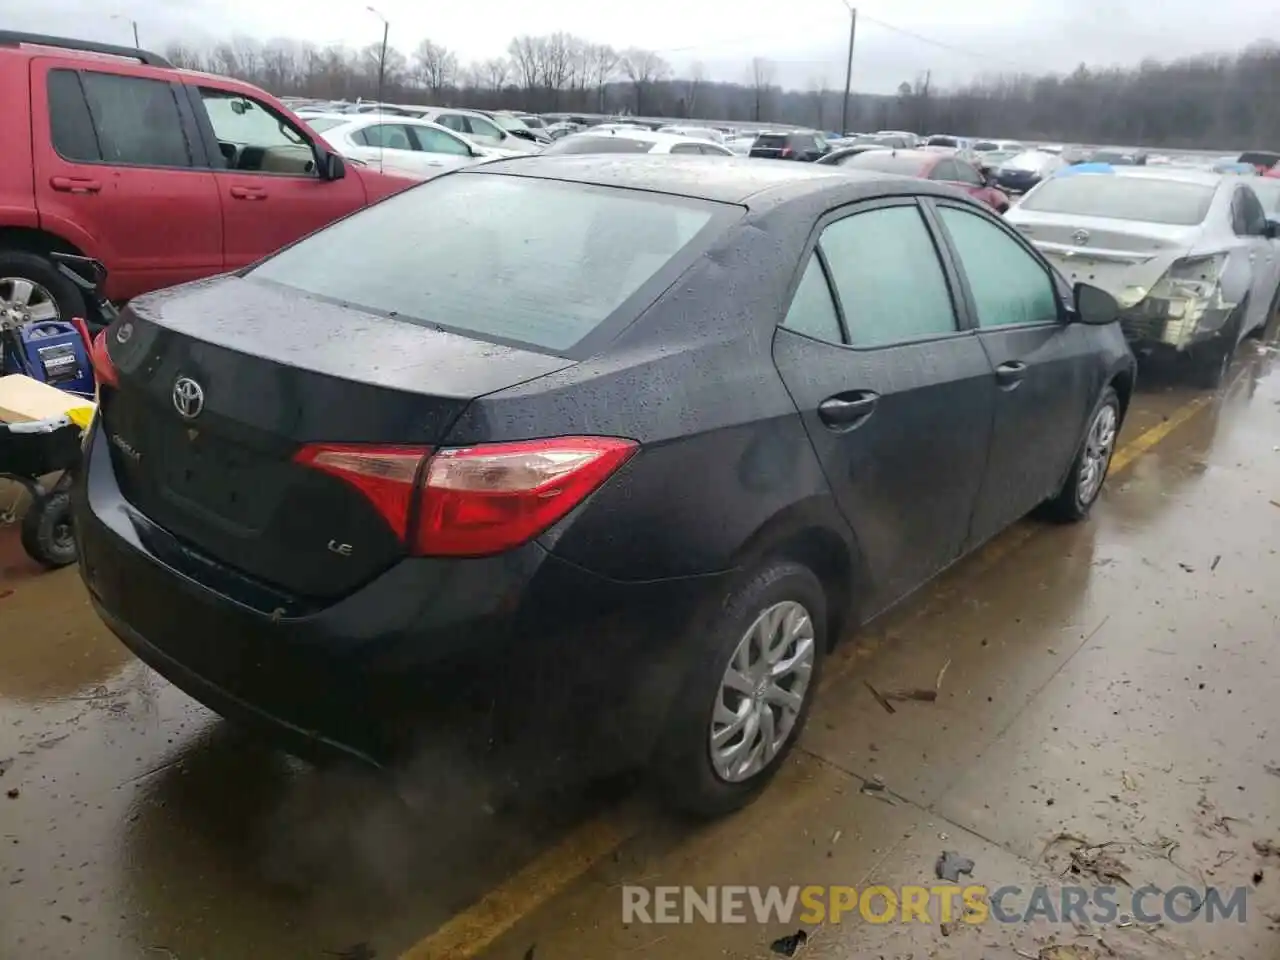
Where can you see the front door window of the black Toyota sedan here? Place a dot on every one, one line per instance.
(1009, 285)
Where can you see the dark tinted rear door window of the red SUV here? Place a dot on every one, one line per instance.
(135, 120)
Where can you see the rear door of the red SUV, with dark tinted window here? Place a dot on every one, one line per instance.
(121, 172)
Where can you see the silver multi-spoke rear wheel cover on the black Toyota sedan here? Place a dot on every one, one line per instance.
(764, 692)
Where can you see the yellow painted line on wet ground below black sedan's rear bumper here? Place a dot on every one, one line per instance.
(468, 934)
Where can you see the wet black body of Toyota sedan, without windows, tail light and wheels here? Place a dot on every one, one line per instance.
(278, 596)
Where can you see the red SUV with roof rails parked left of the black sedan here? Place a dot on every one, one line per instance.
(163, 175)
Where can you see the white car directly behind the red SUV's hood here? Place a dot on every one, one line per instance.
(401, 145)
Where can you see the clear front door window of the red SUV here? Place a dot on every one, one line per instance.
(254, 138)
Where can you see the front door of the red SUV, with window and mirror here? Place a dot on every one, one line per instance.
(267, 179)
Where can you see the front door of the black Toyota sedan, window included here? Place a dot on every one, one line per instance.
(1046, 376)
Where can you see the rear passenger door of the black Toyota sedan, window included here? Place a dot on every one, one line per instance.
(897, 396)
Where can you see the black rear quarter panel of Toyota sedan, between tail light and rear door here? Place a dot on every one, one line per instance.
(725, 454)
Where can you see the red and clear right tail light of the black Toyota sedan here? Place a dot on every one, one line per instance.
(474, 501)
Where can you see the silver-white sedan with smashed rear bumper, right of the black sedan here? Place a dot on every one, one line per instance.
(1190, 255)
